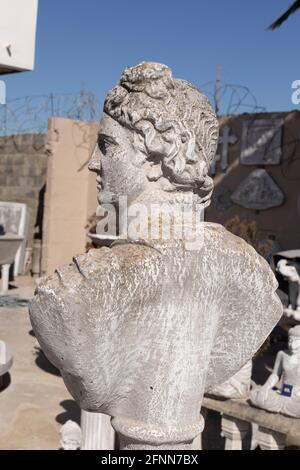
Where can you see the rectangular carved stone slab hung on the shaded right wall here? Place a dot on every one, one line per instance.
(261, 142)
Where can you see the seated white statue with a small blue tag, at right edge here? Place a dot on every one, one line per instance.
(285, 400)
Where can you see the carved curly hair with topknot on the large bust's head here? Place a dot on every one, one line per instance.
(172, 120)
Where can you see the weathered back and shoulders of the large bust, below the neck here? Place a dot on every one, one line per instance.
(159, 336)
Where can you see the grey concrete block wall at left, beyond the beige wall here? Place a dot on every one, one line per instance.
(23, 170)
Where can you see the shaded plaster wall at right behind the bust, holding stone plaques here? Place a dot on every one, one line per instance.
(283, 222)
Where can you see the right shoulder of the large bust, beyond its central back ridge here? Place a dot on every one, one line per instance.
(248, 306)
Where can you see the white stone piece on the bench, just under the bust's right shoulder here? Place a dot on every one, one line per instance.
(238, 386)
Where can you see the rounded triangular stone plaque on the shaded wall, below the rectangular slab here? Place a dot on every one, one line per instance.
(258, 191)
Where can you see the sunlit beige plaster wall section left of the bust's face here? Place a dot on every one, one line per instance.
(70, 191)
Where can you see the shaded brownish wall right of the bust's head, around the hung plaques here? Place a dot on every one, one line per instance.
(277, 225)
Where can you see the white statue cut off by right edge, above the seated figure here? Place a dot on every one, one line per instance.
(288, 269)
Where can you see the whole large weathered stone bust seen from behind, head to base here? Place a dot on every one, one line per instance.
(140, 330)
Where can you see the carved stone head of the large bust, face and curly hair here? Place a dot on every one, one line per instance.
(157, 136)
